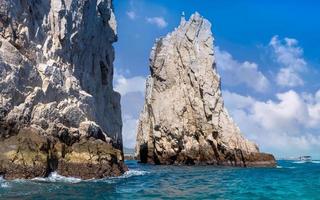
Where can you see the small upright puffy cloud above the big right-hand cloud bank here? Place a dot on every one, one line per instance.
(289, 55)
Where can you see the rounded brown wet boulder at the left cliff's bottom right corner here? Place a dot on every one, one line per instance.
(91, 159)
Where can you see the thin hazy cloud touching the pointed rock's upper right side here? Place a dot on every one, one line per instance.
(235, 72)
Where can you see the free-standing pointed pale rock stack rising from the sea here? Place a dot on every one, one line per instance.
(184, 120)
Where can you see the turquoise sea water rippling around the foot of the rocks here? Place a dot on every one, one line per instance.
(290, 180)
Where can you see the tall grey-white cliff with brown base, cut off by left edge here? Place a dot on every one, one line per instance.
(58, 110)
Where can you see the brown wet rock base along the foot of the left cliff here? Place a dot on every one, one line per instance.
(31, 154)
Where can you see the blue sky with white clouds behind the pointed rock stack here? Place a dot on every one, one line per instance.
(267, 54)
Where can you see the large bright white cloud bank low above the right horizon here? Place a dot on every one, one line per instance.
(287, 126)
